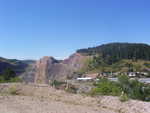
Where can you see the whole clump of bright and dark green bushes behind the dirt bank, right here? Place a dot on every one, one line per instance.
(125, 88)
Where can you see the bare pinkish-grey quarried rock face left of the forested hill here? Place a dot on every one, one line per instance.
(49, 68)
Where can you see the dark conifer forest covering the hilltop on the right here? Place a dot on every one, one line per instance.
(118, 51)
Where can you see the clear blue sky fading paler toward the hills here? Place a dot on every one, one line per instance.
(30, 29)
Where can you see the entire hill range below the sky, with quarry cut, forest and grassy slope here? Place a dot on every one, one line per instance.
(107, 57)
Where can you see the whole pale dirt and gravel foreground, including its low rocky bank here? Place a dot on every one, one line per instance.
(34, 98)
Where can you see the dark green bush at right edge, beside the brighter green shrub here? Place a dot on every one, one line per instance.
(134, 89)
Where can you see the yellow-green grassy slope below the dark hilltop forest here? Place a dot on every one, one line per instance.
(120, 66)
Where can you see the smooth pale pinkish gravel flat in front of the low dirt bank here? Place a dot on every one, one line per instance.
(24, 104)
